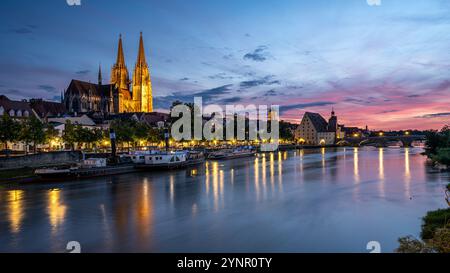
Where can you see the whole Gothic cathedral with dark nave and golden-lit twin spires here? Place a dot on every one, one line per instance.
(119, 96)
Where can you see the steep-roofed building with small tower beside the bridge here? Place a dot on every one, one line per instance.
(315, 130)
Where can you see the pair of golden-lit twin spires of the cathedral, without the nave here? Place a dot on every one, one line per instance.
(142, 90)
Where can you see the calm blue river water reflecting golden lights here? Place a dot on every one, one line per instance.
(334, 200)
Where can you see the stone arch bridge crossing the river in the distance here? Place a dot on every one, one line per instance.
(381, 141)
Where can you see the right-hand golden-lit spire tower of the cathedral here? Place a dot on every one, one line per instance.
(142, 86)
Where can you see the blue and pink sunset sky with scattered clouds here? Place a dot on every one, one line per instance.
(386, 66)
